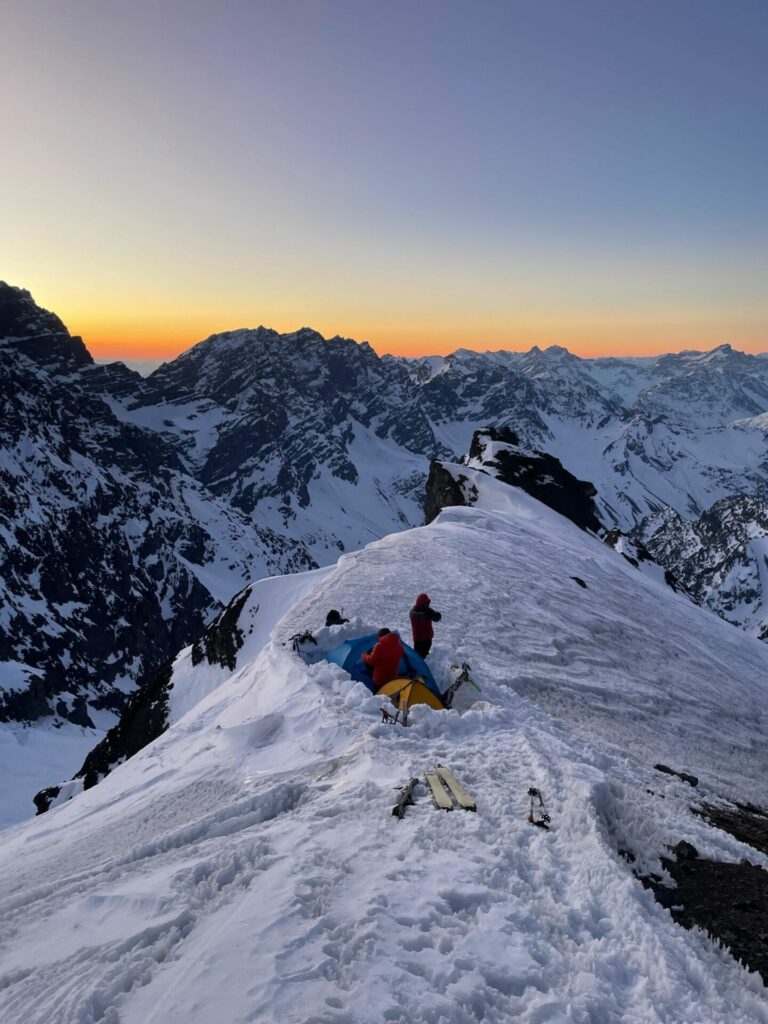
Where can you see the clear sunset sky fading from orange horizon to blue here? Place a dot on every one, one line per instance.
(424, 175)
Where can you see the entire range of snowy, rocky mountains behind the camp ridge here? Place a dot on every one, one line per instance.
(133, 508)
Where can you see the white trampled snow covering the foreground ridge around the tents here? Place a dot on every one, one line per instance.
(246, 867)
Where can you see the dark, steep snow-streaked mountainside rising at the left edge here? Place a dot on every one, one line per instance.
(112, 552)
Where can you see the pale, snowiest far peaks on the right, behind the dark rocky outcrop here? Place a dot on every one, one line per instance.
(679, 432)
